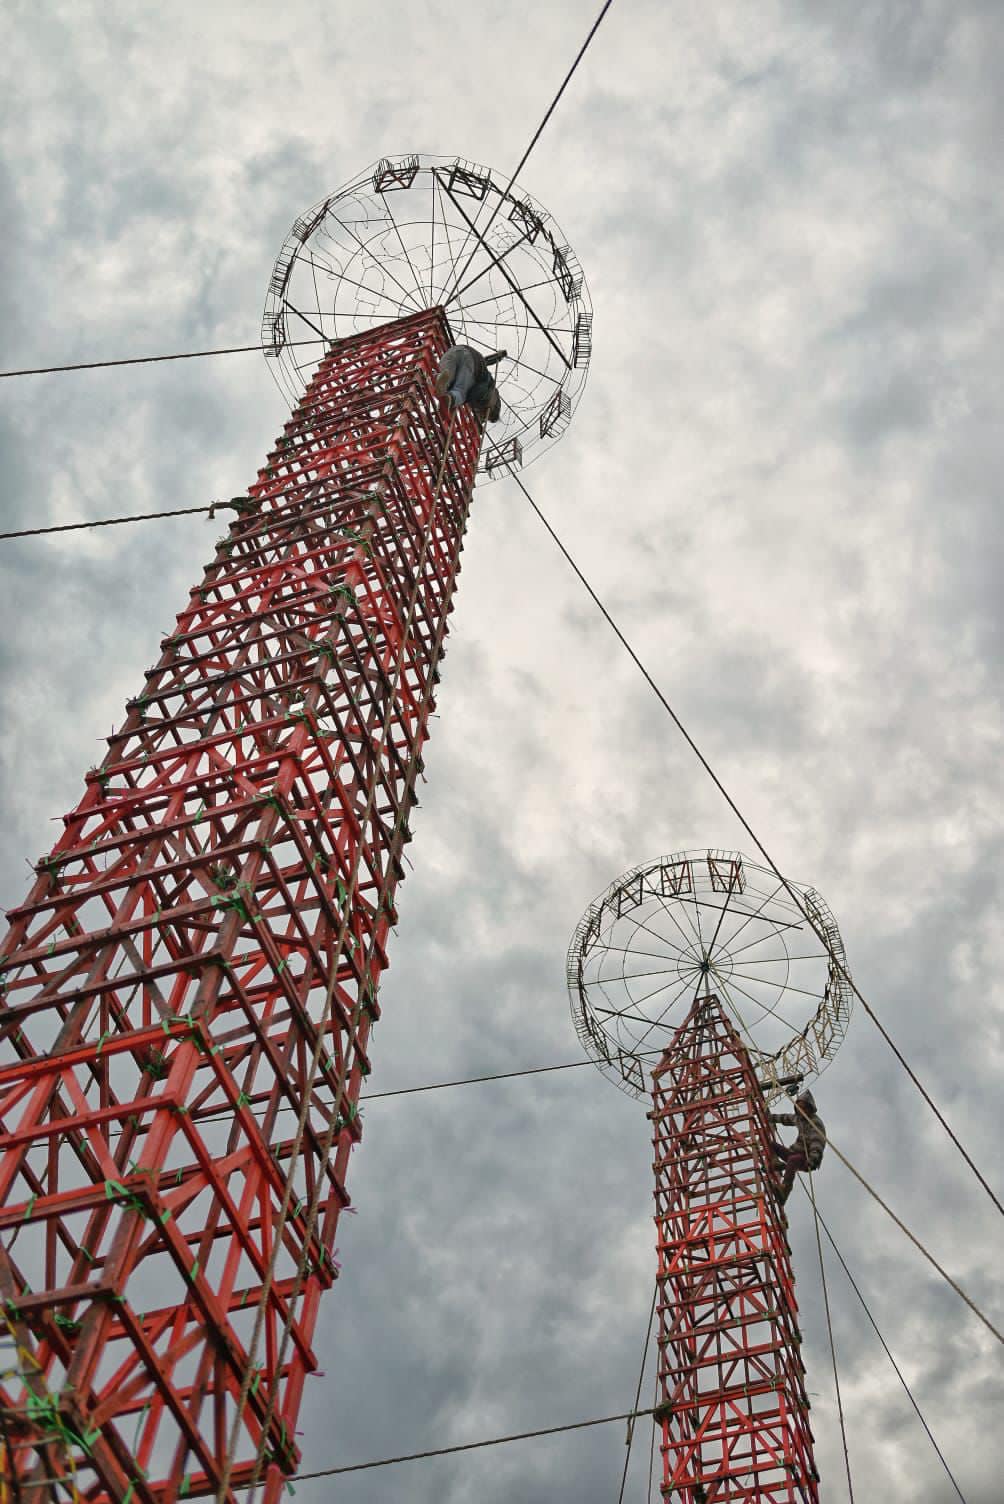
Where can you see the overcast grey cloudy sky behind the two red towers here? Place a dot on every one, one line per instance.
(784, 479)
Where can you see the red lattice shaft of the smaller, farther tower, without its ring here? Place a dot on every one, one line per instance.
(731, 1381)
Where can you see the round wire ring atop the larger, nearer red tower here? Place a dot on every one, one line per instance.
(419, 232)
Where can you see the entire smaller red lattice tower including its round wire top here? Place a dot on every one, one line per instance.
(689, 968)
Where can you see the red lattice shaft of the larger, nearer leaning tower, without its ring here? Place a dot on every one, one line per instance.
(201, 953)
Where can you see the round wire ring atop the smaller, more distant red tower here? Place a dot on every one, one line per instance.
(709, 921)
